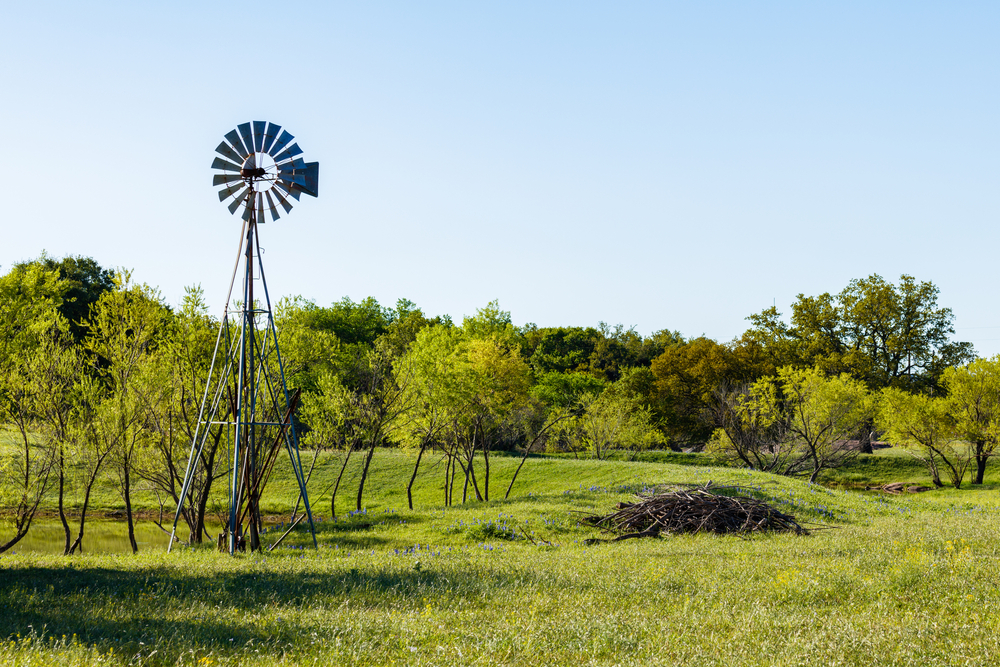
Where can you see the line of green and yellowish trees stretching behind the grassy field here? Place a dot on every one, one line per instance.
(101, 380)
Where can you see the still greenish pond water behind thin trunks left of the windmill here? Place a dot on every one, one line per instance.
(100, 536)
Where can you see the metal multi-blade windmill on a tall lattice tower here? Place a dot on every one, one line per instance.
(246, 403)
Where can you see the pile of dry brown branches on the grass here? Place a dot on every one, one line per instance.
(694, 509)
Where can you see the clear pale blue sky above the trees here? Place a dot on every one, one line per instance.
(662, 165)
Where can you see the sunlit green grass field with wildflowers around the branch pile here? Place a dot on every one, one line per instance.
(883, 581)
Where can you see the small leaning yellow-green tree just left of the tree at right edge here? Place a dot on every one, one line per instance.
(925, 426)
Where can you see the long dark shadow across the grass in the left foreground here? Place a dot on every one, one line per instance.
(136, 609)
